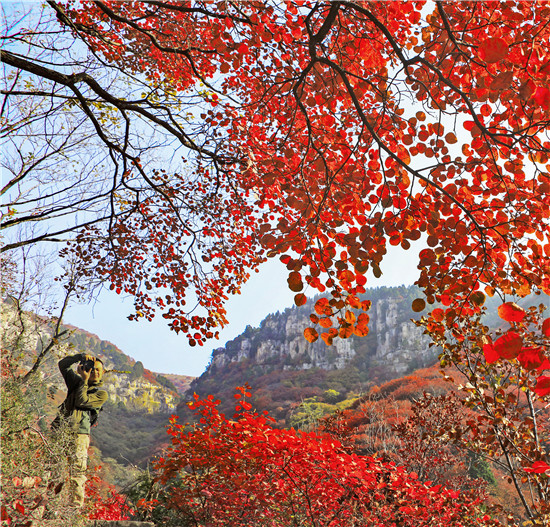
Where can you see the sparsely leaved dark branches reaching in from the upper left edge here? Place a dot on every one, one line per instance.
(87, 150)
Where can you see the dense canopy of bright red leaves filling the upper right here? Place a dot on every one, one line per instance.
(357, 125)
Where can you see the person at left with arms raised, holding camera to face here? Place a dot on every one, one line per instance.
(80, 409)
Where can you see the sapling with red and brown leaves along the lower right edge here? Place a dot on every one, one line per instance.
(502, 374)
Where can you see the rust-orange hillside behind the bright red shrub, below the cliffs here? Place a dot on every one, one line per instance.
(417, 421)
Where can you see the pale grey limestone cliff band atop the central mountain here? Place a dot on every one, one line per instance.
(394, 341)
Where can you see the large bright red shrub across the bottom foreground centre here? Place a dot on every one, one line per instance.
(246, 472)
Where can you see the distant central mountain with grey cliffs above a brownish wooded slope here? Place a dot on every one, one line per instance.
(283, 369)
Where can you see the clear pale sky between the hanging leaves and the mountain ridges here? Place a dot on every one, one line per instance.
(162, 351)
